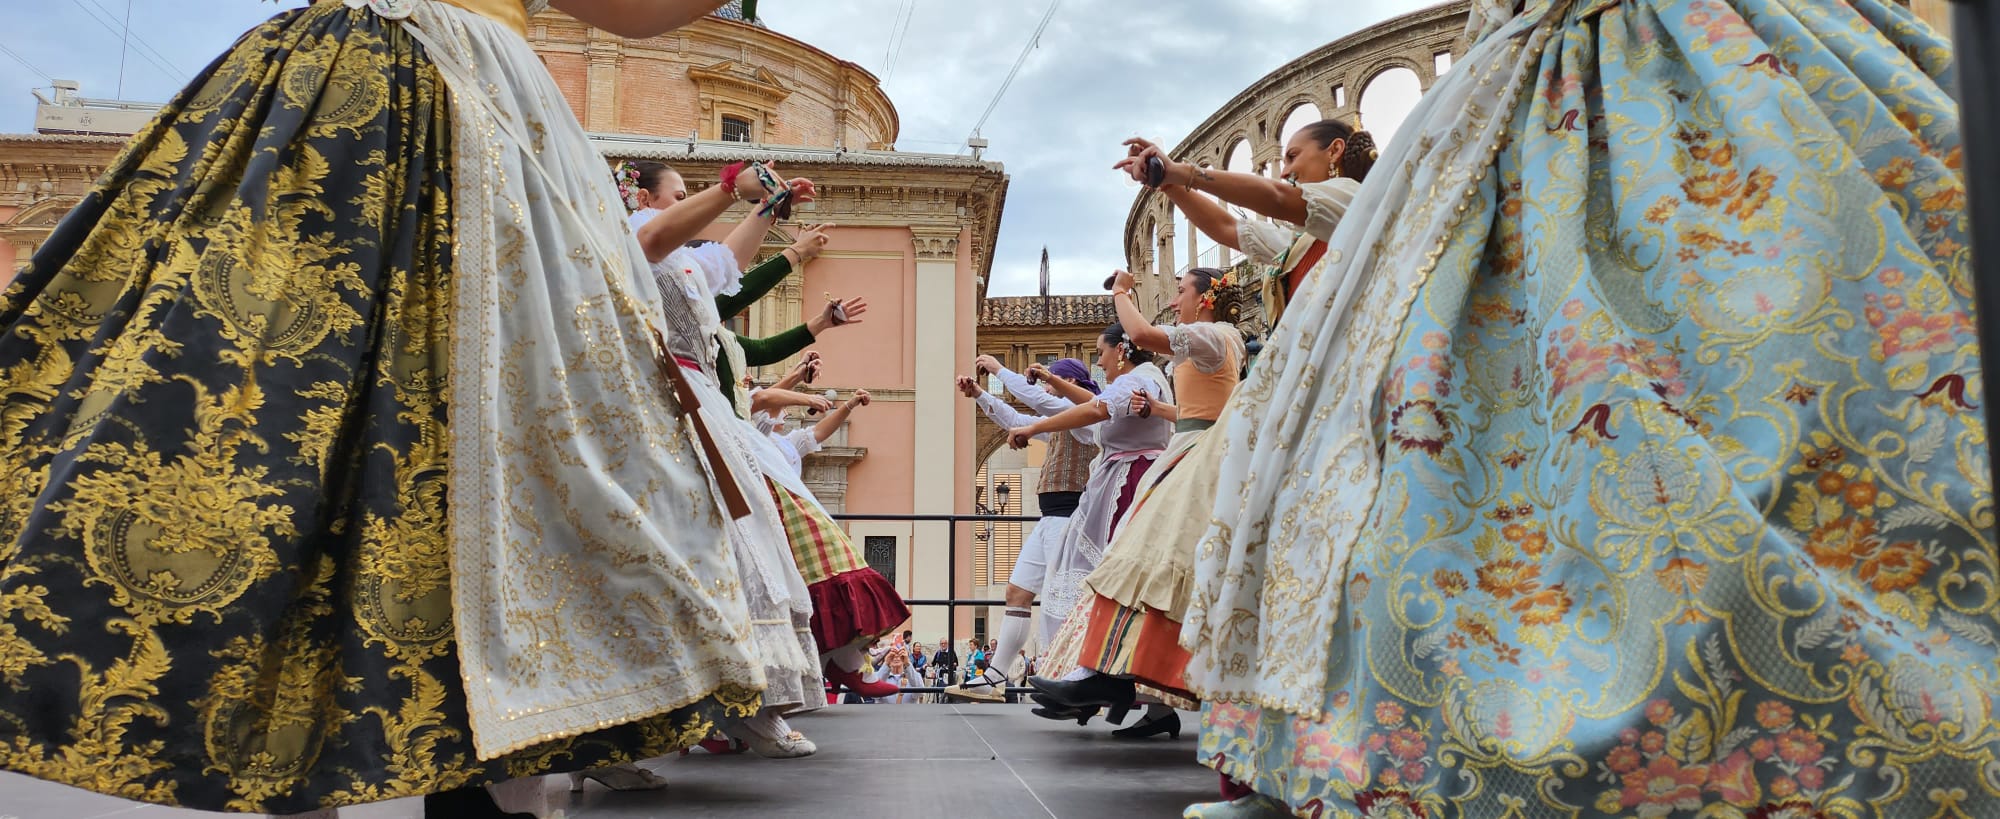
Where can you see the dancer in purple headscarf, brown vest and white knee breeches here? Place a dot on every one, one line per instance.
(1061, 488)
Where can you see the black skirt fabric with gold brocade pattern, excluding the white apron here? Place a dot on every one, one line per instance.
(225, 572)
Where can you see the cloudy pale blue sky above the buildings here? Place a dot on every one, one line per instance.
(1103, 73)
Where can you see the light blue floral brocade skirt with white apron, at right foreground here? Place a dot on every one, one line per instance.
(1681, 508)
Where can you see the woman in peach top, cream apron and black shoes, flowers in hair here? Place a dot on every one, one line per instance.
(1137, 598)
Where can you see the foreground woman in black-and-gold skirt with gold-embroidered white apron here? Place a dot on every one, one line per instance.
(331, 295)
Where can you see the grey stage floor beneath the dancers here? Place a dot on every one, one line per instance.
(877, 762)
